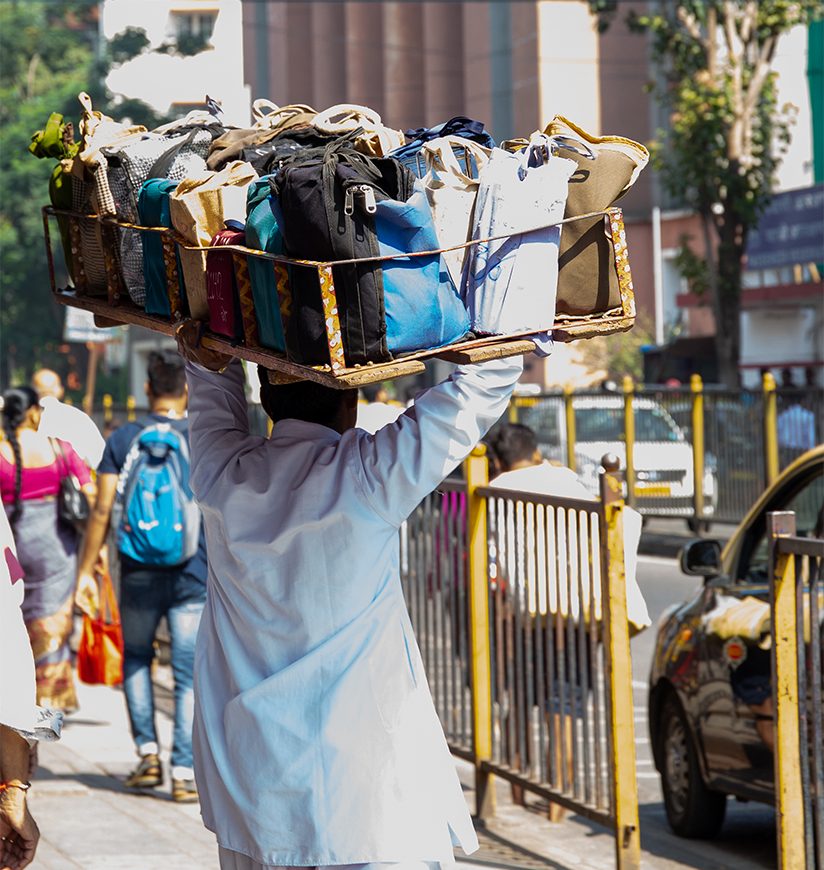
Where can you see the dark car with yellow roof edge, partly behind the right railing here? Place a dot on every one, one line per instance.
(710, 701)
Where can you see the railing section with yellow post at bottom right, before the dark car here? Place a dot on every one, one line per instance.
(797, 602)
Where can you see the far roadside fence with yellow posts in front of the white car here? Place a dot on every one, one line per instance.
(704, 454)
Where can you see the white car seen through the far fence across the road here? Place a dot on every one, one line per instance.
(662, 453)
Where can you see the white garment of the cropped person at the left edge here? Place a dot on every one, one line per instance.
(18, 709)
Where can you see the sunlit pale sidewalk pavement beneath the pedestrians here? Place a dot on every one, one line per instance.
(89, 820)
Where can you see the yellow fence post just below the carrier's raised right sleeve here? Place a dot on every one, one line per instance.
(477, 475)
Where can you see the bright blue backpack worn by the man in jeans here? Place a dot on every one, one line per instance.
(157, 519)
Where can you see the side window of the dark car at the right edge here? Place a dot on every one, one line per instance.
(807, 500)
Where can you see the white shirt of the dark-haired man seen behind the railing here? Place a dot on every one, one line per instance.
(545, 578)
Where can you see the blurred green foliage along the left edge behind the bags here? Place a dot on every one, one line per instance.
(46, 54)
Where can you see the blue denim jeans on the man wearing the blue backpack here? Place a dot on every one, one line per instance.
(147, 594)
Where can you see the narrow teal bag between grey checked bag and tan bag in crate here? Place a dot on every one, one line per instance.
(154, 211)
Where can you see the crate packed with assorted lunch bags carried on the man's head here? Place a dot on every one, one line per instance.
(329, 240)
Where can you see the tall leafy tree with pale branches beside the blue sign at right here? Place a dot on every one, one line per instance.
(727, 132)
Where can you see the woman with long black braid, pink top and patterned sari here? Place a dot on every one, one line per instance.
(31, 469)
